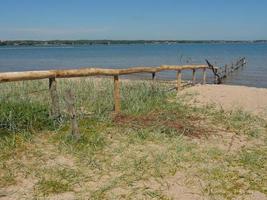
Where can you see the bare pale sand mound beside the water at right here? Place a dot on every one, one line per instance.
(250, 99)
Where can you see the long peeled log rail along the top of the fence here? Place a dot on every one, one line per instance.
(34, 75)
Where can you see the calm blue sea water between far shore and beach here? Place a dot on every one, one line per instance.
(123, 56)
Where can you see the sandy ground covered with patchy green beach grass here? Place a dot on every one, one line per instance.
(159, 147)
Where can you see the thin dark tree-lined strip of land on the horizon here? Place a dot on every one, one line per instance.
(111, 42)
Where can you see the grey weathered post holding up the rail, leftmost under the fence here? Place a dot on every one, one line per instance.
(55, 110)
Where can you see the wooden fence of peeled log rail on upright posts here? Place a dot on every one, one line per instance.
(52, 75)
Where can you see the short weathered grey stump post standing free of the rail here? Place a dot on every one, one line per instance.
(69, 98)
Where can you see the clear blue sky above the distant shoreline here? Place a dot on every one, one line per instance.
(133, 19)
